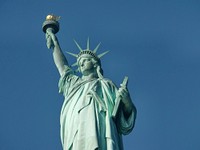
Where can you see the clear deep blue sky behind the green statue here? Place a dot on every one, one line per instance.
(154, 42)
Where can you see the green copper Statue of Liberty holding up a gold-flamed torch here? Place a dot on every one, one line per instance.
(86, 118)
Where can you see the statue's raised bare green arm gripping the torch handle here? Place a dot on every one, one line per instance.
(58, 56)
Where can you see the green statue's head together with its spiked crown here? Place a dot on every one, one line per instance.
(90, 58)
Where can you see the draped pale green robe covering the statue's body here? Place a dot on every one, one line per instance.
(86, 121)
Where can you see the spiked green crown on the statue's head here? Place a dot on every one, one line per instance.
(87, 51)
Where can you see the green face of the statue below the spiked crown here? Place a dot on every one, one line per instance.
(86, 65)
